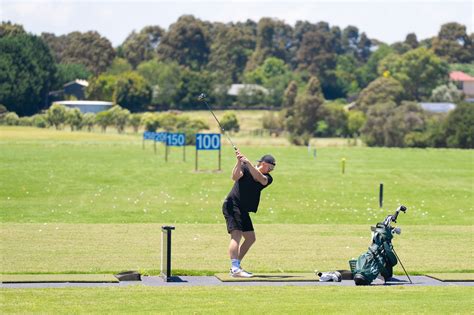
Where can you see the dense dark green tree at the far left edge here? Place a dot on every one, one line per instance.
(27, 73)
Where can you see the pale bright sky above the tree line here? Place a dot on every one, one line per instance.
(385, 20)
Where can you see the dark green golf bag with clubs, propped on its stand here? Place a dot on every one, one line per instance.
(380, 258)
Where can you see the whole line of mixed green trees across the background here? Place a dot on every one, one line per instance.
(301, 66)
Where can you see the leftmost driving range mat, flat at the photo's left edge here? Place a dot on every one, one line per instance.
(58, 278)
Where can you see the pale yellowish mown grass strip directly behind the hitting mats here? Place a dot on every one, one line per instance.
(202, 248)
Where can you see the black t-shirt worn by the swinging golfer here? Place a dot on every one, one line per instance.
(246, 191)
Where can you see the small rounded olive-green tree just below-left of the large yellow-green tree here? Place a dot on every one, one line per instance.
(382, 90)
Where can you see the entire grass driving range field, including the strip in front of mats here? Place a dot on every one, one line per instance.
(94, 203)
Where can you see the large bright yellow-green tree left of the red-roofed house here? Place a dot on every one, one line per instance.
(419, 71)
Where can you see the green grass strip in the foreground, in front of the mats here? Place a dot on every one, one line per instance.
(240, 300)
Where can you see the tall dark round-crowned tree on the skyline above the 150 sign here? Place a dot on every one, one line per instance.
(186, 42)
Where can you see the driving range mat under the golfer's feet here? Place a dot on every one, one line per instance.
(269, 277)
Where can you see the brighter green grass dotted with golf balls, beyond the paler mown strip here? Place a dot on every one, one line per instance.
(50, 176)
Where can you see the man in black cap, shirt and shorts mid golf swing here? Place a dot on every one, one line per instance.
(244, 197)
